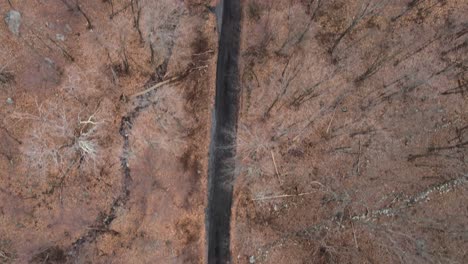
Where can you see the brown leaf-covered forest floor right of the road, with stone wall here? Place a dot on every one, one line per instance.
(353, 134)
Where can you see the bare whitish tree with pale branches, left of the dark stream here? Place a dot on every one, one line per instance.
(58, 139)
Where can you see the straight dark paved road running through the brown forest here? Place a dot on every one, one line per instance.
(223, 139)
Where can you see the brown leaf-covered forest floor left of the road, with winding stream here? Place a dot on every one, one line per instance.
(92, 168)
